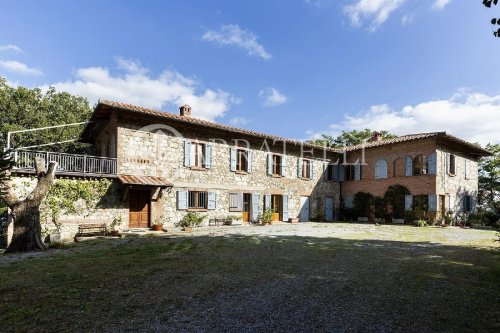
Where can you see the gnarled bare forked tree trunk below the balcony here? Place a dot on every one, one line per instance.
(26, 213)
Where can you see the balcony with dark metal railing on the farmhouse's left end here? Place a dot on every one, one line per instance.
(67, 164)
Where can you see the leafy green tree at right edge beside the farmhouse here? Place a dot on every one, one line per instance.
(489, 183)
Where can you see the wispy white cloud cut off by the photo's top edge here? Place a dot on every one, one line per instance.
(372, 12)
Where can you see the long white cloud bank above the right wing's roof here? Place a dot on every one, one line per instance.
(469, 115)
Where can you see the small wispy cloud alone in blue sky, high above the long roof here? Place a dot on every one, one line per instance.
(232, 34)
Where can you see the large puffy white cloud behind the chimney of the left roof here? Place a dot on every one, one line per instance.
(135, 86)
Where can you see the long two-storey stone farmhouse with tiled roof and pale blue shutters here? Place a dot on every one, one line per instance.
(164, 165)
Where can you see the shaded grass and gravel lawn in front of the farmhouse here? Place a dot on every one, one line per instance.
(309, 277)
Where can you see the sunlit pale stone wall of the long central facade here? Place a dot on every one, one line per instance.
(158, 153)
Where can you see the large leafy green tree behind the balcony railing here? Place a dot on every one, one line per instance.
(23, 108)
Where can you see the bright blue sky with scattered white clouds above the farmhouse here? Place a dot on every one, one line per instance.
(294, 68)
